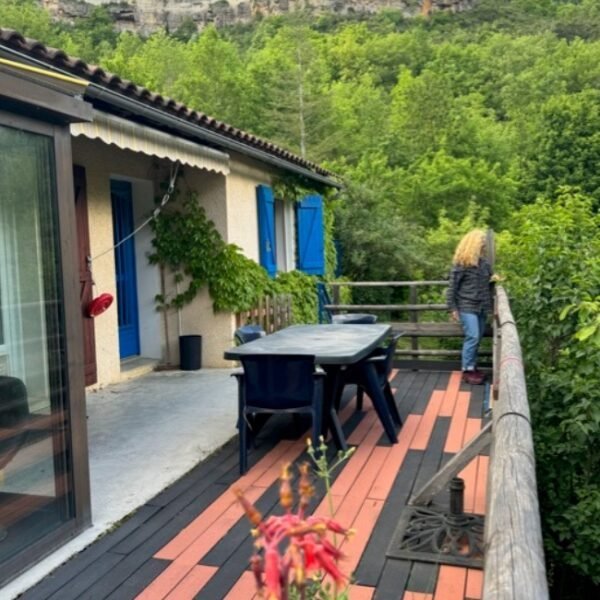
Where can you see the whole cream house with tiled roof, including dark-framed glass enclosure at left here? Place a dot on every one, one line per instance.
(84, 154)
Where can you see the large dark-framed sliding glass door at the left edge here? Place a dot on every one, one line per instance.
(36, 479)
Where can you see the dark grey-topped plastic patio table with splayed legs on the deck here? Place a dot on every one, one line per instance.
(334, 347)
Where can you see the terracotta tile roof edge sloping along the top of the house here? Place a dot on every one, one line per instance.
(57, 58)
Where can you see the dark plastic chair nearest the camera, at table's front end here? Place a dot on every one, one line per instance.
(277, 384)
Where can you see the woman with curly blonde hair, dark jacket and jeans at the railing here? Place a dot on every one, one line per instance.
(470, 298)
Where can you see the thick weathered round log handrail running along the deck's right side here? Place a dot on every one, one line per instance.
(514, 557)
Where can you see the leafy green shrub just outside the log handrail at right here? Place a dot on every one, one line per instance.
(553, 275)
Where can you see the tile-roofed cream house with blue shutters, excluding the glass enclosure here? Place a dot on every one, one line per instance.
(120, 160)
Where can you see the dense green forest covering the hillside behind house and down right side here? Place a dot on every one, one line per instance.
(489, 117)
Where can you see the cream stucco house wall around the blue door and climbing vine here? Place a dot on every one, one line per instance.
(229, 201)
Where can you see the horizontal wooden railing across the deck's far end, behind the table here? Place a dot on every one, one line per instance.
(414, 327)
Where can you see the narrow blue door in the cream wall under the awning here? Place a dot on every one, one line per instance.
(127, 305)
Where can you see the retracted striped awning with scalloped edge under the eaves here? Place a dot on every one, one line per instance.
(128, 135)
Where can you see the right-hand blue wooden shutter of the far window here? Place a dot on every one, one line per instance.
(311, 243)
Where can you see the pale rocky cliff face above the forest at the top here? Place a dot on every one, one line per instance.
(147, 15)
